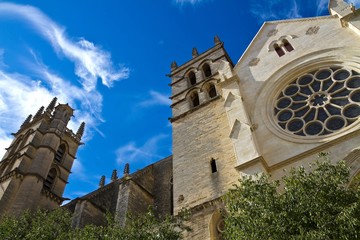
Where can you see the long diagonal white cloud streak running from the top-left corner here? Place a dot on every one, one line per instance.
(91, 62)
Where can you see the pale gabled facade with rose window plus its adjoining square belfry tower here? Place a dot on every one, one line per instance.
(294, 92)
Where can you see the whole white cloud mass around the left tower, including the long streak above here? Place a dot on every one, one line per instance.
(23, 92)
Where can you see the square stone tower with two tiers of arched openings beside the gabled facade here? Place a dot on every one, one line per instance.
(203, 155)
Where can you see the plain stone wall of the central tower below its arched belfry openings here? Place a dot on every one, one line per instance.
(198, 138)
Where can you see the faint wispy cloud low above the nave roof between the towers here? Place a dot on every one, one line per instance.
(147, 153)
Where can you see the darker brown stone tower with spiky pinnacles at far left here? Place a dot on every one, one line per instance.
(36, 166)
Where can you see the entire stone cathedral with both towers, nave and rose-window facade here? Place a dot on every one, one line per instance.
(294, 92)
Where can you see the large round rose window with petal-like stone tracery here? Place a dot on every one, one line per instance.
(319, 103)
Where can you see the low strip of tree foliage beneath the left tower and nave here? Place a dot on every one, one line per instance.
(57, 225)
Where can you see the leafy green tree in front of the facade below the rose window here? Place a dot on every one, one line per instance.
(315, 204)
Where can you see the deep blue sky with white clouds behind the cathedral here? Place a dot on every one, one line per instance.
(108, 60)
